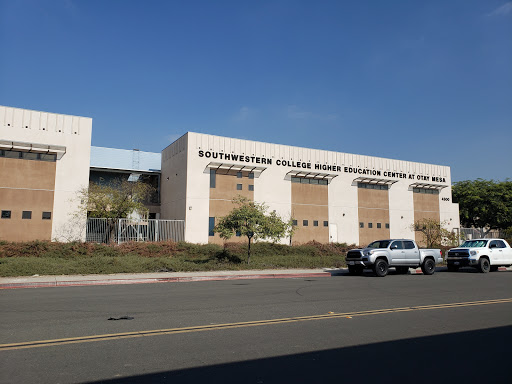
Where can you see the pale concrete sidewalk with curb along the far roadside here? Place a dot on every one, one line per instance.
(37, 281)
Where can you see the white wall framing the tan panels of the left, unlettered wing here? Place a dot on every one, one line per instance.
(72, 169)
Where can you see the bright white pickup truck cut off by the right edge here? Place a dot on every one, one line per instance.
(484, 254)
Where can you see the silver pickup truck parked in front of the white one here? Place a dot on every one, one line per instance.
(399, 253)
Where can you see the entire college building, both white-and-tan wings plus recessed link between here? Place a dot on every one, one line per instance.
(46, 158)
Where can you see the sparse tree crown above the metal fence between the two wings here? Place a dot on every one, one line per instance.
(116, 200)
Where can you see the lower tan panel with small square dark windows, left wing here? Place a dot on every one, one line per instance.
(18, 229)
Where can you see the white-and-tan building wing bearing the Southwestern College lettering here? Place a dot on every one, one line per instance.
(332, 196)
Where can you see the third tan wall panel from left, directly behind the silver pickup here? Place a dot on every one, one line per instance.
(373, 208)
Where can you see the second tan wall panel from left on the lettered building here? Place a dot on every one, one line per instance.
(310, 202)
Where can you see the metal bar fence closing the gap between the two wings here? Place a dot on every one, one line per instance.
(123, 230)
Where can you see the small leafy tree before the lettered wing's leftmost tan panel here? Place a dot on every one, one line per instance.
(251, 220)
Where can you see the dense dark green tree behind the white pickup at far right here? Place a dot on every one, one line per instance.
(484, 204)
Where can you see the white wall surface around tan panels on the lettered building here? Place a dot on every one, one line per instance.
(274, 188)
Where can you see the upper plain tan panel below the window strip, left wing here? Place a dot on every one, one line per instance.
(32, 174)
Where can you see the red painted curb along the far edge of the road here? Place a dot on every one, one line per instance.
(159, 280)
